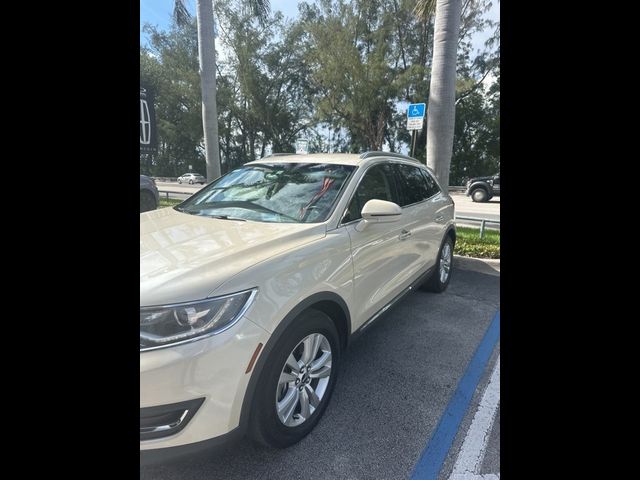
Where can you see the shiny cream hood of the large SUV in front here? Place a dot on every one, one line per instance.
(186, 257)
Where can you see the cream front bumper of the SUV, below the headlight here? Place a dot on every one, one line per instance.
(209, 375)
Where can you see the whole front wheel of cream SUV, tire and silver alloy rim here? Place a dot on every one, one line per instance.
(297, 381)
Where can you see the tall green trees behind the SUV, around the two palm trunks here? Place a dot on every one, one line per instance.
(334, 75)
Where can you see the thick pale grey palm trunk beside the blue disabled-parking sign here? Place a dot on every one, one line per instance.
(442, 90)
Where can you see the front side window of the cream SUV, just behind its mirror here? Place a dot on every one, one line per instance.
(377, 183)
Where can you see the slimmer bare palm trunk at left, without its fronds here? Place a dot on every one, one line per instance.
(207, 57)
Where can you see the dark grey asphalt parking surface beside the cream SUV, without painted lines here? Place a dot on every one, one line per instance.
(394, 384)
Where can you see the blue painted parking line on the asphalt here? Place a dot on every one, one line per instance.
(436, 450)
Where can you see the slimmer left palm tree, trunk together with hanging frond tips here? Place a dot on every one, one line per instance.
(207, 58)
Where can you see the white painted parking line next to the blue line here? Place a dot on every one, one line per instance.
(469, 461)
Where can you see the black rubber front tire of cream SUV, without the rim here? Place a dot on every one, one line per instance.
(265, 426)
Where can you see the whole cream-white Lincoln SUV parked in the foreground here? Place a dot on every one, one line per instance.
(252, 288)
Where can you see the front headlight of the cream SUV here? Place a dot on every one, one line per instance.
(171, 324)
